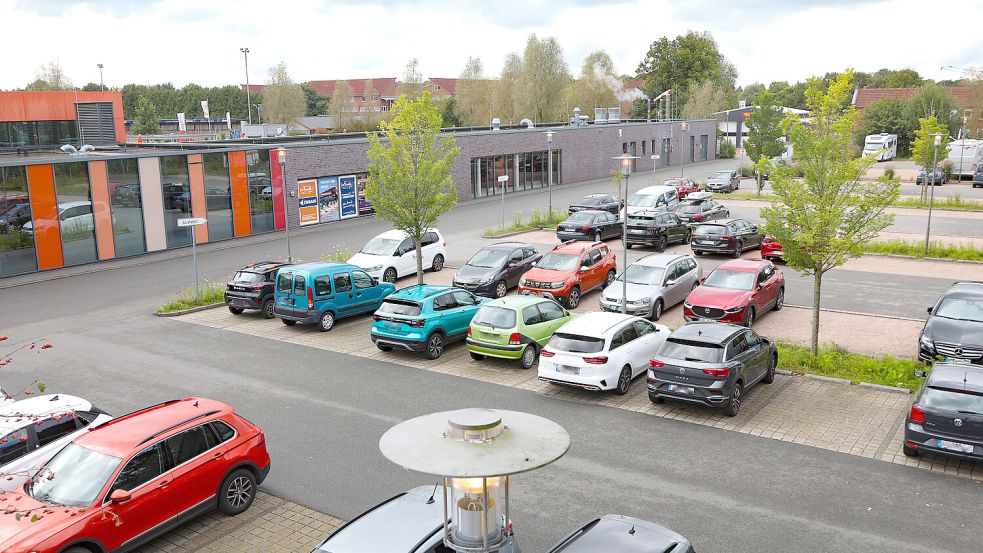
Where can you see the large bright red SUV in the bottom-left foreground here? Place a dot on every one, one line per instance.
(136, 477)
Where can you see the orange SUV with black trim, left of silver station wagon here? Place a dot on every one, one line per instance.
(569, 271)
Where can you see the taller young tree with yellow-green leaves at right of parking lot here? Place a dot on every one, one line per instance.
(830, 214)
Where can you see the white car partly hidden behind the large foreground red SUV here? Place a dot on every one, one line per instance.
(33, 430)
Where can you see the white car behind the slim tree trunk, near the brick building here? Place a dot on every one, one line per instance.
(392, 254)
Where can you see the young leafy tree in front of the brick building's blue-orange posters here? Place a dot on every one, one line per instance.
(410, 166)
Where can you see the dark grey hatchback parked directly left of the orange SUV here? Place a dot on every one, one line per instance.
(494, 269)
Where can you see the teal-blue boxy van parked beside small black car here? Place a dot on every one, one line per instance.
(321, 293)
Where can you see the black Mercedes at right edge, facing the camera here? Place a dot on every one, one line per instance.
(954, 329)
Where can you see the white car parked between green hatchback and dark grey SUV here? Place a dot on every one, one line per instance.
(601, 351)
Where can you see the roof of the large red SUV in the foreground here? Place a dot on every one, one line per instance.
(120, 436)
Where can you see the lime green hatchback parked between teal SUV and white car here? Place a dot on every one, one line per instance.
(515, 327)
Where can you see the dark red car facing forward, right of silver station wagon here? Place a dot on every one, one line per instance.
(737, 291)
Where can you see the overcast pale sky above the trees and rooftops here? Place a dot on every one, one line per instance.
(152, 41)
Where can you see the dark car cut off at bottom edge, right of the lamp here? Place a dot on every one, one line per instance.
(624, 535)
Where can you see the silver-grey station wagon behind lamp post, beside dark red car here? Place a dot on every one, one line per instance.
(655, 283)
